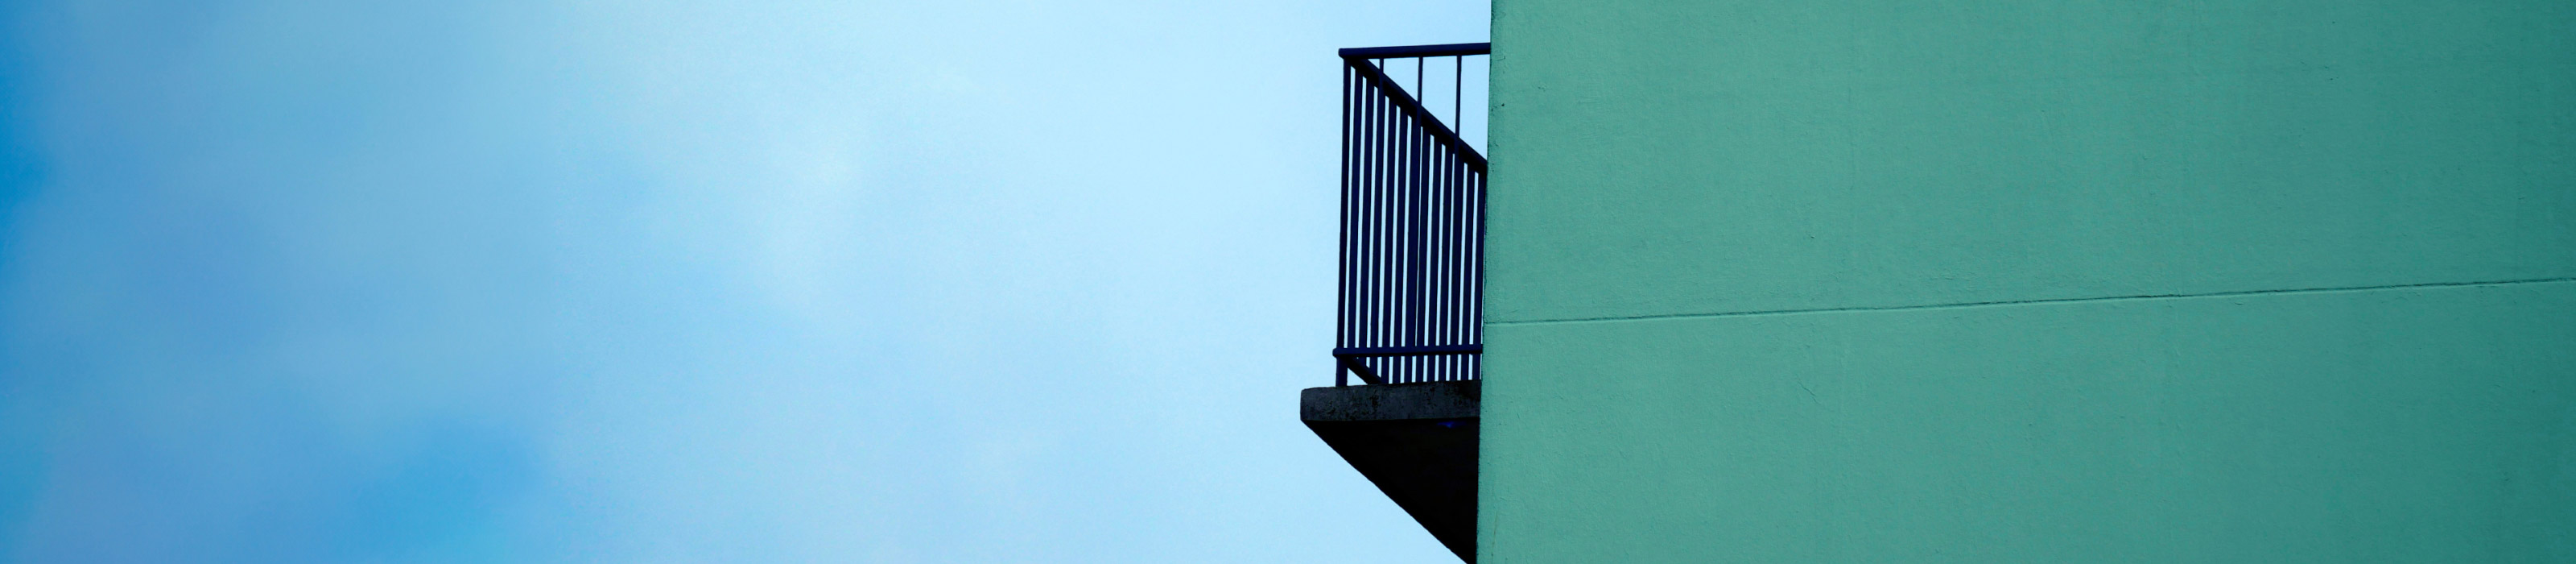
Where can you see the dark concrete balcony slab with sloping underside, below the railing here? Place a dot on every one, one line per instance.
(1416, 442)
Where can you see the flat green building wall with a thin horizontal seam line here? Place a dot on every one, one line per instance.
(2031, 282)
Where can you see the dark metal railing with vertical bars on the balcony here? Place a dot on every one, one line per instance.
(1413, 228)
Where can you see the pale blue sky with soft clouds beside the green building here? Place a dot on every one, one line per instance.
(676, 282)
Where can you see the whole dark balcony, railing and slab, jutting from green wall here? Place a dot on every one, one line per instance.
(1410, 313)
